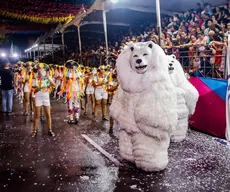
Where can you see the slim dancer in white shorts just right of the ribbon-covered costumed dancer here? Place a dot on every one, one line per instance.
(89, 79)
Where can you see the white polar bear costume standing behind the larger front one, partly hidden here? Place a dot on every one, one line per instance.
(187, 97)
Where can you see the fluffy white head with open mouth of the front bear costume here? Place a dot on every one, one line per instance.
(141, 64)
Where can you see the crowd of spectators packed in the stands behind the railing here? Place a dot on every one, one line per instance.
(198, 37)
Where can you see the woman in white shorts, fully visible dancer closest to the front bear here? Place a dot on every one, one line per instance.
(101, 94)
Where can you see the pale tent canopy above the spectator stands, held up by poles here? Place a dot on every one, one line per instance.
(167, 7)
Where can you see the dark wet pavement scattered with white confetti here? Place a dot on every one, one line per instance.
(68, 163)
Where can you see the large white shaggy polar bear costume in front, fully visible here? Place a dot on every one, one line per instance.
(144, 106)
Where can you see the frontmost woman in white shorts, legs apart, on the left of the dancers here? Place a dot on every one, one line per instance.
(42, 99)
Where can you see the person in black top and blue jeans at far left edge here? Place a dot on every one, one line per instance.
(7, 89)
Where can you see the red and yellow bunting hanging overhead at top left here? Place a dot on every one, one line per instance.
(40, 11)
